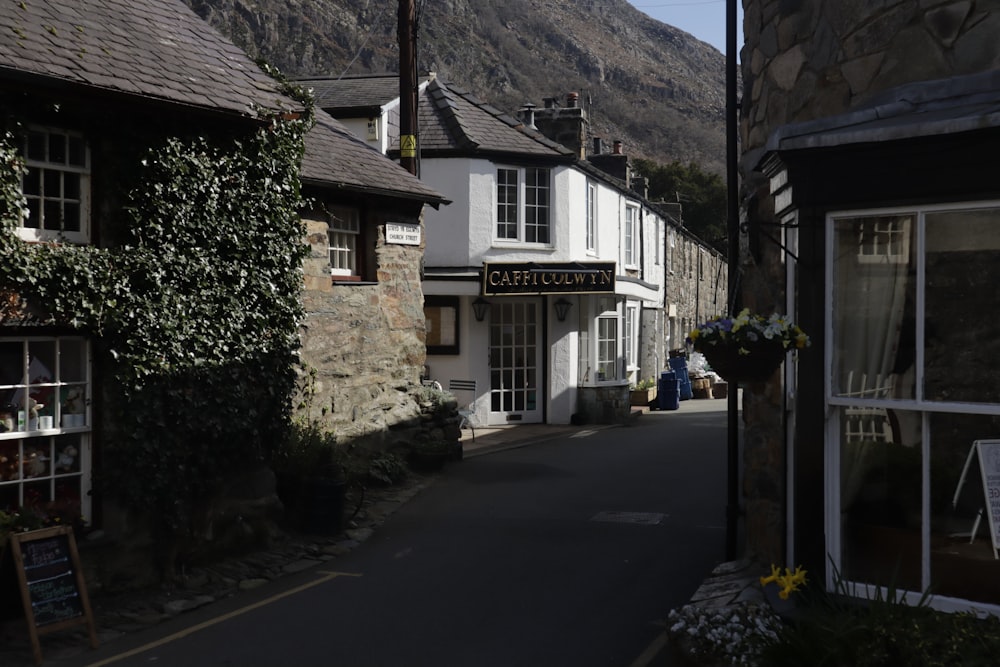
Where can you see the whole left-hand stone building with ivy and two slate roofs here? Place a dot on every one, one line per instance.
(87, 93)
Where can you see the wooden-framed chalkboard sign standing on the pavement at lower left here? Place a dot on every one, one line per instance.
(52, 586)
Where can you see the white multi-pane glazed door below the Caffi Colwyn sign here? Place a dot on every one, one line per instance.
(515, 384)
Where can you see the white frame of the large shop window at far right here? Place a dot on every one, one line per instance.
(844, 401)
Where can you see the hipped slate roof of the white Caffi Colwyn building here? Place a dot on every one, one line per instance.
(452, 120)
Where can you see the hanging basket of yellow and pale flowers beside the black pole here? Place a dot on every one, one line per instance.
(748, 347)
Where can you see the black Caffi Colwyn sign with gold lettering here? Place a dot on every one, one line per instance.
(553, 278)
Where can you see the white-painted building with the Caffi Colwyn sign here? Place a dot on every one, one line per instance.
(544, 278)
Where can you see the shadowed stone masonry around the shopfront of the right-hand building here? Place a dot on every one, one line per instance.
(803, 60)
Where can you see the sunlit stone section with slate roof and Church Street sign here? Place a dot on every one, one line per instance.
(363, 337)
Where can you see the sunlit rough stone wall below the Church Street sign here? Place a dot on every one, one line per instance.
(364, 346)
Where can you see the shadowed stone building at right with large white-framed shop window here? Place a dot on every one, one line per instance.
(869, 133)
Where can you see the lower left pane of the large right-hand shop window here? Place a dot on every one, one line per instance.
(880, 497)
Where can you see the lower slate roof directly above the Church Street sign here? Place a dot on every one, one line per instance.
(334, 157)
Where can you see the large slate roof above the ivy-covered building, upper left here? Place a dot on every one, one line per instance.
(155, 49)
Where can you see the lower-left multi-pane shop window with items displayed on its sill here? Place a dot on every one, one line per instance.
(44, 422)
